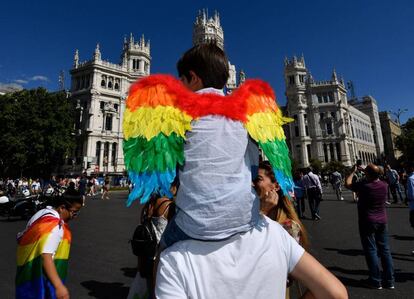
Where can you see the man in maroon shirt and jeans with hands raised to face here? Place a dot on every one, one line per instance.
(372, 222)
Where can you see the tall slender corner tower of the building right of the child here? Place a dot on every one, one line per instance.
(295, 80)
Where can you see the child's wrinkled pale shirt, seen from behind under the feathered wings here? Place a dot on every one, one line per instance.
(215, 198)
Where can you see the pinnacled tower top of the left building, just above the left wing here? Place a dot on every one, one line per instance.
(136, 56)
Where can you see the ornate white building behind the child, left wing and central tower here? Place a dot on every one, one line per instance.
(100, 88)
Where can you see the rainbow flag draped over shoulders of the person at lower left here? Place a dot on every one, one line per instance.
(31, 283)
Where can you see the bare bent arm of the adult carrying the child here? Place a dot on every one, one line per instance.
(320, 282)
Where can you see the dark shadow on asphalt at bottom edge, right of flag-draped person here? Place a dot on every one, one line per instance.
(105, 290)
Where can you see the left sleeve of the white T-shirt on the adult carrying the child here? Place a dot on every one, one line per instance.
(169, 284)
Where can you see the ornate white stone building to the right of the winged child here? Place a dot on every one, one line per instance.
(326, 125)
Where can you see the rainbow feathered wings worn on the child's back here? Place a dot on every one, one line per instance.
(159, 112)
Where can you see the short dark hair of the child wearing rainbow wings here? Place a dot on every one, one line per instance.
(208, 61)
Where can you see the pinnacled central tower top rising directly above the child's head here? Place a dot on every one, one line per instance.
(208, 29)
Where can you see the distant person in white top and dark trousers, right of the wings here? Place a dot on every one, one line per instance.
(313, 188)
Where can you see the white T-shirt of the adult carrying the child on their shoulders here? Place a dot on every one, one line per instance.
(254, 264)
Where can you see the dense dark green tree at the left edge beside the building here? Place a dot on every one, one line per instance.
(35, 132)
